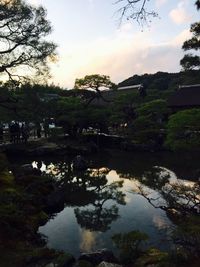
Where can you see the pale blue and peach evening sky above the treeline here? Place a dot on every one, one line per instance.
(91, 40)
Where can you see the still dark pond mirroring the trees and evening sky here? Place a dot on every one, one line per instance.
(105, 199)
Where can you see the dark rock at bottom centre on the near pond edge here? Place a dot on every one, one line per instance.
(99, 256)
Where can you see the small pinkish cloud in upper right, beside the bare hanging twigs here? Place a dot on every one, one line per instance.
(179, 14)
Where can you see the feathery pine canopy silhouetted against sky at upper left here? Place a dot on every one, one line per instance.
(23, 29)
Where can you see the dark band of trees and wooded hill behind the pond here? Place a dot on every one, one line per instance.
(144, 118)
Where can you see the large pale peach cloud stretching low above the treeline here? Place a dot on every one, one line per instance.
(119, 56)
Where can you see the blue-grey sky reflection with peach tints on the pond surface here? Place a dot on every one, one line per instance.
(64, 233)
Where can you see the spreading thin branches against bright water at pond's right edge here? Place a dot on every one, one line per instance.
(179, 196)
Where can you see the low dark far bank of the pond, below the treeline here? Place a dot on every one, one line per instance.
(84, 144)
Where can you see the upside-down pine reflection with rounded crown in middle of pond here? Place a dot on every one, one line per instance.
(99, 217)
